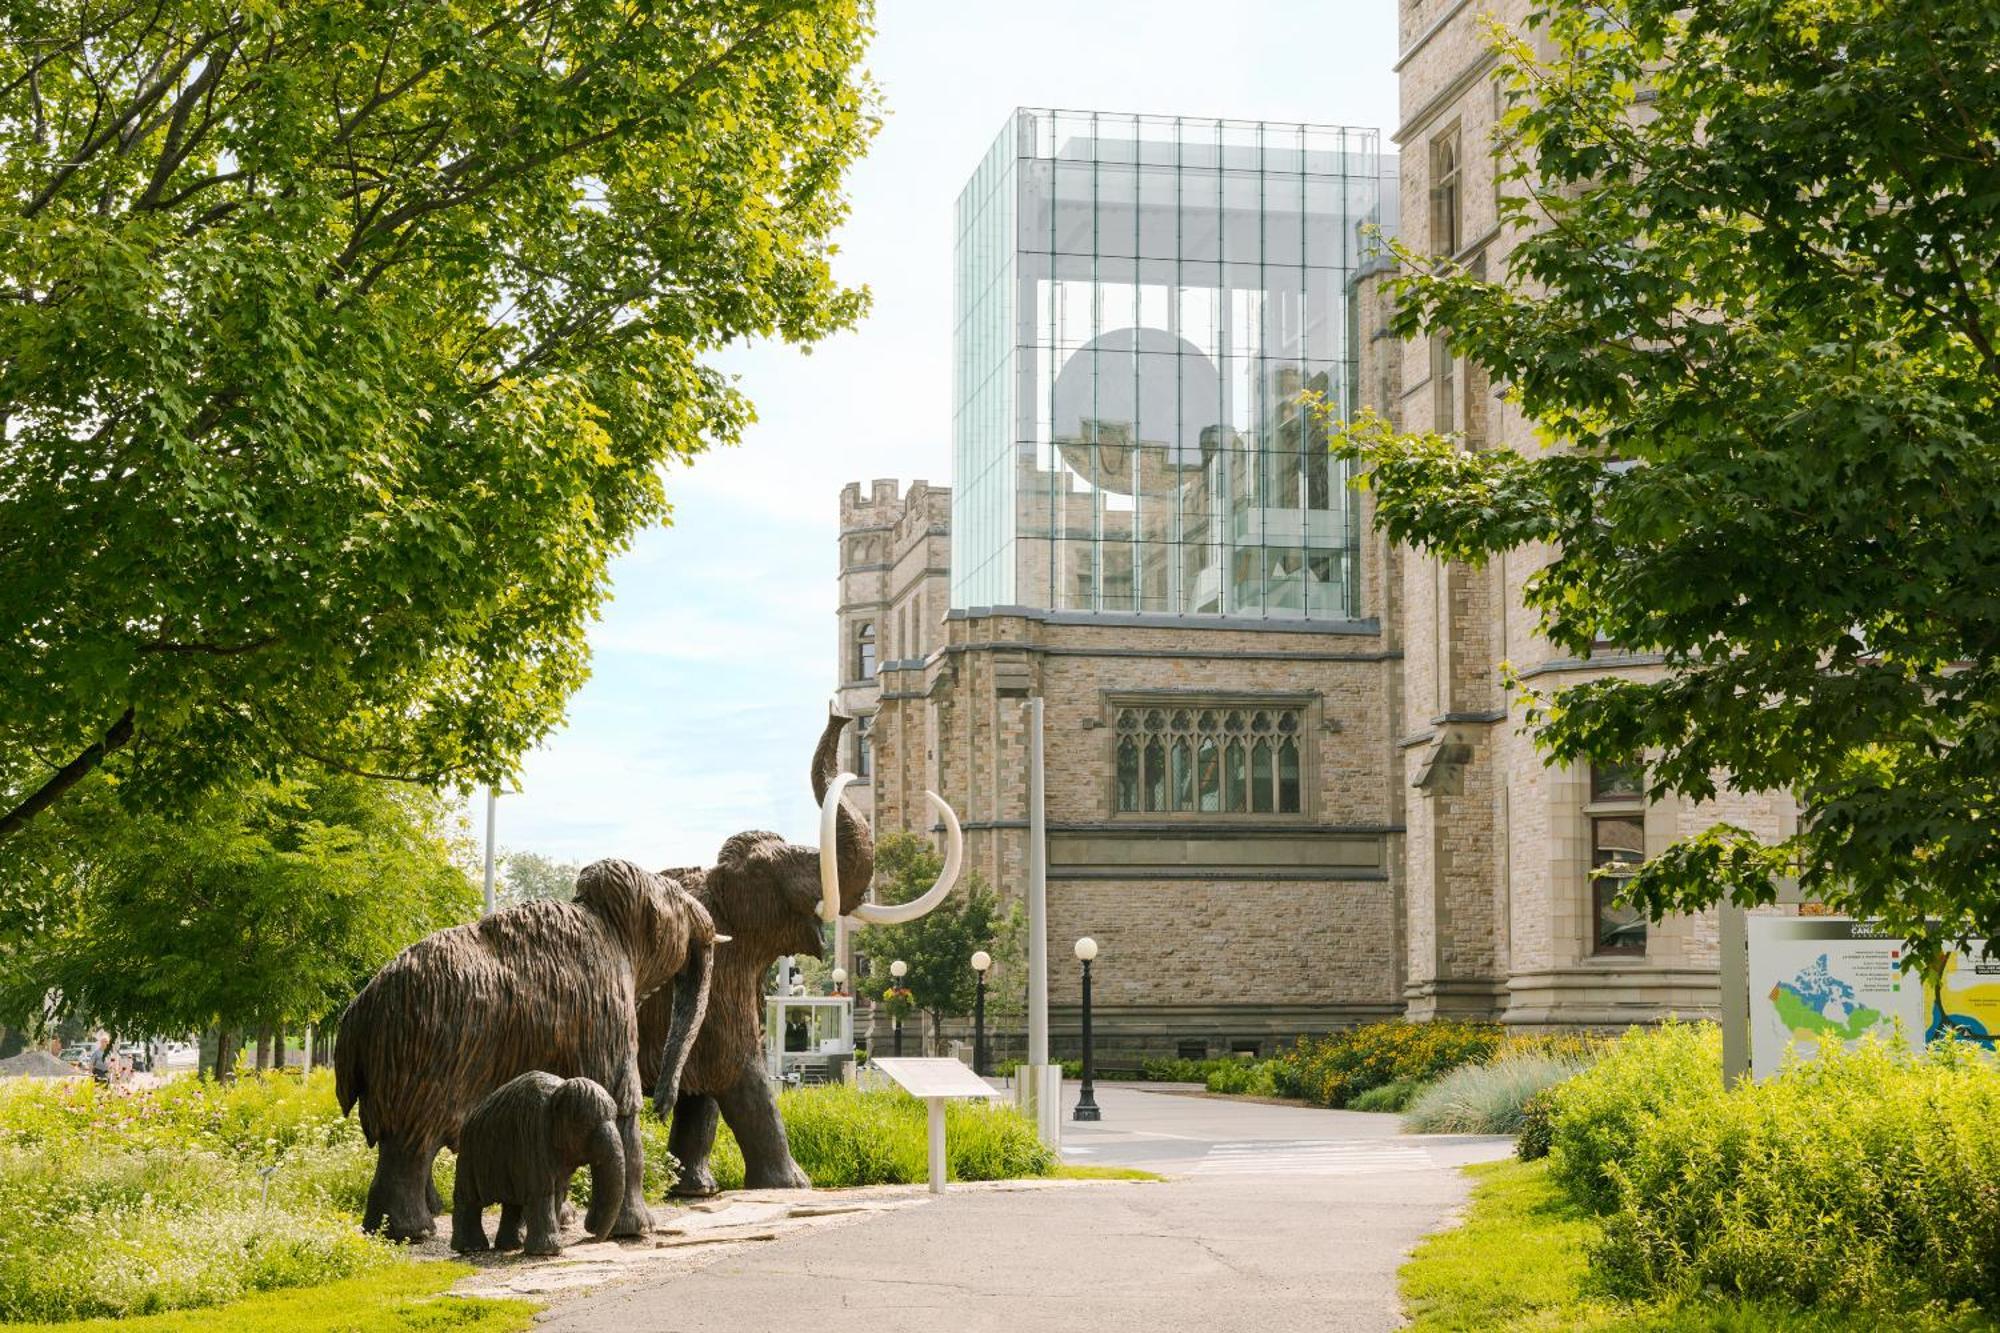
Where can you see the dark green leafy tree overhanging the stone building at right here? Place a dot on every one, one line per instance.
(1755, 315)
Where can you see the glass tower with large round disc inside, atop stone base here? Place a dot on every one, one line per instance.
(1145, 307)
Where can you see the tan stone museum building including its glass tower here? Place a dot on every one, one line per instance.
(1287, 790)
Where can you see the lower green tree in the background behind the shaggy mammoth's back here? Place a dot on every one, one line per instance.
(269, 904)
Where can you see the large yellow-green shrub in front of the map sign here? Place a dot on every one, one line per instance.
(1867, 1180)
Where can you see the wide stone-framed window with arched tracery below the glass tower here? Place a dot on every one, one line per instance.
(1209, 758)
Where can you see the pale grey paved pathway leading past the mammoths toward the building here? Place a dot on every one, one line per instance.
(1275, 1220)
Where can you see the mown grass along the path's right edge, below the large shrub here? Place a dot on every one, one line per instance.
(1519, 1262)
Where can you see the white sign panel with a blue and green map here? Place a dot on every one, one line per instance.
(1827, 978)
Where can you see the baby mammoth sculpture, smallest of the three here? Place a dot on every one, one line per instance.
(521, 1146)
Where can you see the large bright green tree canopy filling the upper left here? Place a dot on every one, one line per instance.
(341, 347)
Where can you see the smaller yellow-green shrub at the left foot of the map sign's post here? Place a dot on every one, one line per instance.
(1603, 1114)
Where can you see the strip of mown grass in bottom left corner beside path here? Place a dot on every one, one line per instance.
(407, 1298)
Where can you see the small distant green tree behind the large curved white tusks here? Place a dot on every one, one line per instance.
(941, 944)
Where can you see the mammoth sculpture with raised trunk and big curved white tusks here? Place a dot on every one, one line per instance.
(771, 898)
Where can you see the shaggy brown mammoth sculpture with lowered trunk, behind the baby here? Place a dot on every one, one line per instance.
(543, 986)
